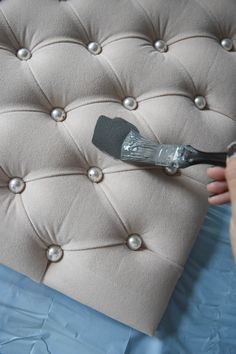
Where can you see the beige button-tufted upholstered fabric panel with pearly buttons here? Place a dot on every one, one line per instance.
(86, 57)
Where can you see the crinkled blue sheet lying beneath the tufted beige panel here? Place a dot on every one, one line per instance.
(201, 316)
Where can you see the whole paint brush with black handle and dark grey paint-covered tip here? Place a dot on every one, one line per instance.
(122, 140)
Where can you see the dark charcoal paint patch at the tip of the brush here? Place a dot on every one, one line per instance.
(109, 134)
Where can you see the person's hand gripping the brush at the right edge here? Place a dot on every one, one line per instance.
(224, 189)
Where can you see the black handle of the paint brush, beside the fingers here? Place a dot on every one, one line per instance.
(211, 158)
